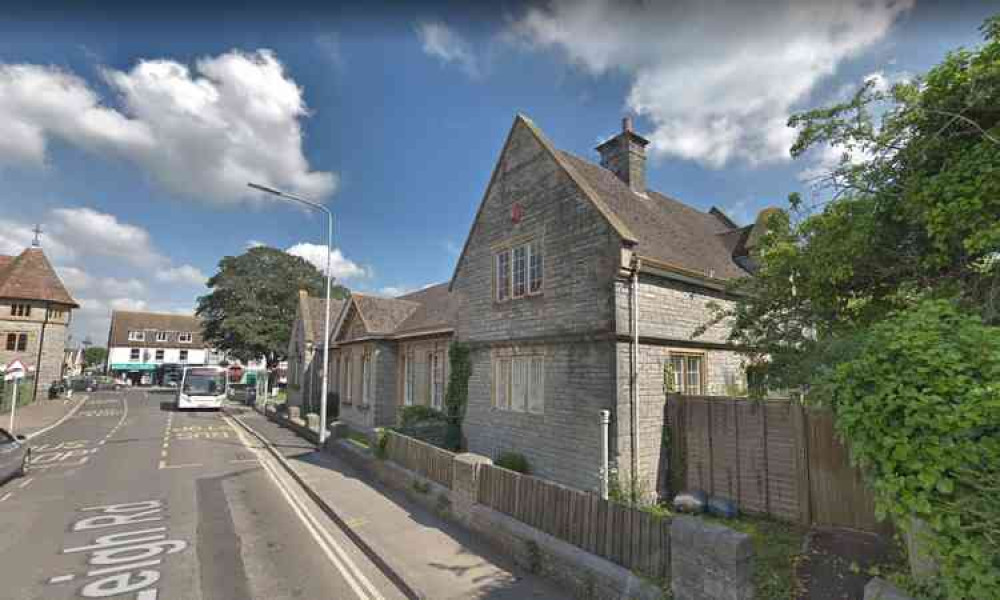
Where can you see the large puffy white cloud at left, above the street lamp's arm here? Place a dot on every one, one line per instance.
(202, 134)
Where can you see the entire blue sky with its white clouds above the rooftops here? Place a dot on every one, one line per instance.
(130, 135)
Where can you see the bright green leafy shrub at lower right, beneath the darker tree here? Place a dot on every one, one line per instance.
(920, 405)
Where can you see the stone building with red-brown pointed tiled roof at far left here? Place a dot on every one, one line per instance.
(35, 310)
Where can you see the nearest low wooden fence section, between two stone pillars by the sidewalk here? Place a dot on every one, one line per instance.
(632, 538)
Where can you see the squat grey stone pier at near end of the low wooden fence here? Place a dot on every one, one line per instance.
(709, 561)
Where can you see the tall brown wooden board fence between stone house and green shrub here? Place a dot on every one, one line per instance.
(771, 457)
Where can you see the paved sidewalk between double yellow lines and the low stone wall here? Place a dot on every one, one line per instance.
(438, 559)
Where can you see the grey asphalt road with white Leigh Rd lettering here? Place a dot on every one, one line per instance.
(131, 499)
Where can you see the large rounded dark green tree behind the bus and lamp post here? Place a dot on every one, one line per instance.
(251, 307)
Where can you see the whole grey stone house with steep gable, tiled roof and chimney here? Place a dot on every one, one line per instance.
(578, 290)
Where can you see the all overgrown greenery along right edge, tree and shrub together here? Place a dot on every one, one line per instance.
(882, 300)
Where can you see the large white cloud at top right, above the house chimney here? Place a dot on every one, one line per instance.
(717, 80)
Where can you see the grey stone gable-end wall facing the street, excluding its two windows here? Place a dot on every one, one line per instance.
(570, 320)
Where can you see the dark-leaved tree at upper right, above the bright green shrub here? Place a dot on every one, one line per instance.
(911, 211)
